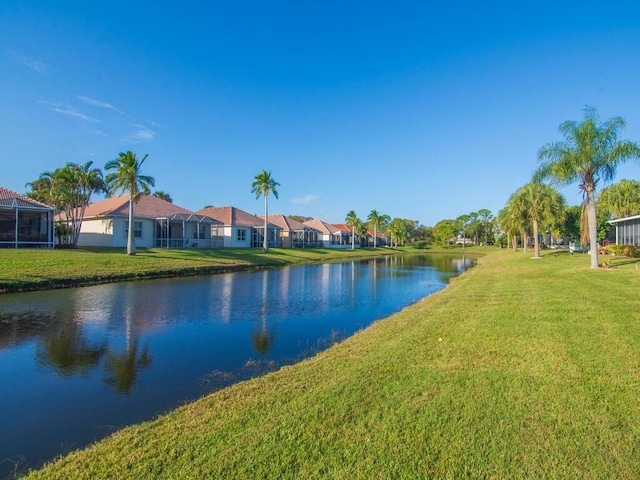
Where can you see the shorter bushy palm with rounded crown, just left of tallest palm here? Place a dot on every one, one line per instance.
(545, 206)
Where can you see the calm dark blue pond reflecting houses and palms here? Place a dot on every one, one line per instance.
(78, 364)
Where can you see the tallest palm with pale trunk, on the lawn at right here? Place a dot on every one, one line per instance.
(590, 152)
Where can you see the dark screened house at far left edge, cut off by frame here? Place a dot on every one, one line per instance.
(24, 222)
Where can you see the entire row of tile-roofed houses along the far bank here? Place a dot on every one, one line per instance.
(158, 223)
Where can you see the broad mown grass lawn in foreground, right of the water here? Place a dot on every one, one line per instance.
(520, 368)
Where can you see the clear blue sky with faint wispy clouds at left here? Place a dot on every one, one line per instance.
(420, 110)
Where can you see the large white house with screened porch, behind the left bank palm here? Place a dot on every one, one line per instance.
(157, 223)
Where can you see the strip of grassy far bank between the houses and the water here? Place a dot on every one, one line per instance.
(28, 269)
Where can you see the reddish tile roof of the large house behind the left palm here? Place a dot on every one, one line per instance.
(147, 206)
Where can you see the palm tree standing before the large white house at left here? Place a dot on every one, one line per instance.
(128, 177)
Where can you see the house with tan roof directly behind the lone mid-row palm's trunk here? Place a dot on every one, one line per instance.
(240, 229)
